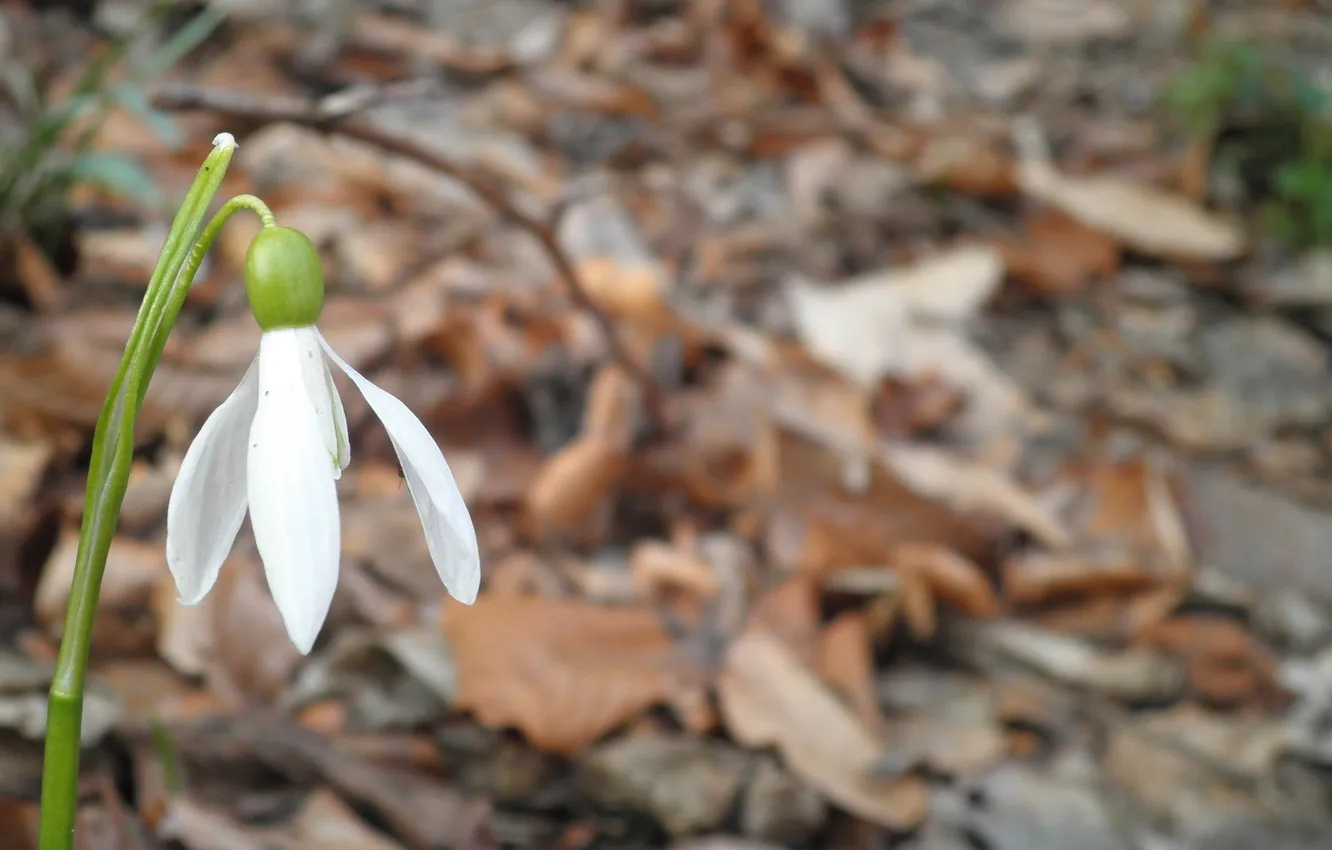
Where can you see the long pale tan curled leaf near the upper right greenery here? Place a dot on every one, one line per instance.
(1145, 219)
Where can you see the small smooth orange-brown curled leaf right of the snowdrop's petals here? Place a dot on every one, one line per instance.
(575, 484)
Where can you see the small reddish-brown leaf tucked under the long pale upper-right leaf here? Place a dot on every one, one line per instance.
(1060, 255)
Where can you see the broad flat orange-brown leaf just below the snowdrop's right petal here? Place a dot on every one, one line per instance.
(561, 671)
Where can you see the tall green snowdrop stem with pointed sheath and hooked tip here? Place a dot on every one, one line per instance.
(109, 475)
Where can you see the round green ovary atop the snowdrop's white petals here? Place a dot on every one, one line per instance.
(284, 279)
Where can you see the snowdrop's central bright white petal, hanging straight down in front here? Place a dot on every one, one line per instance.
(294, 503)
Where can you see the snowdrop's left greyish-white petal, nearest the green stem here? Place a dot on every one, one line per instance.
(208, 500)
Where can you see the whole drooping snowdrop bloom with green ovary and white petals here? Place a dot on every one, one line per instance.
(279, 443)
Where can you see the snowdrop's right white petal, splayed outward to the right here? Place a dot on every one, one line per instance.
(448, 526)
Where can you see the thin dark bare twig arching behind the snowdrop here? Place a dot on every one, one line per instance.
(338, 115)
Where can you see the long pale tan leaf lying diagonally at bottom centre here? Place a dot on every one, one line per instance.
(769, 699)
